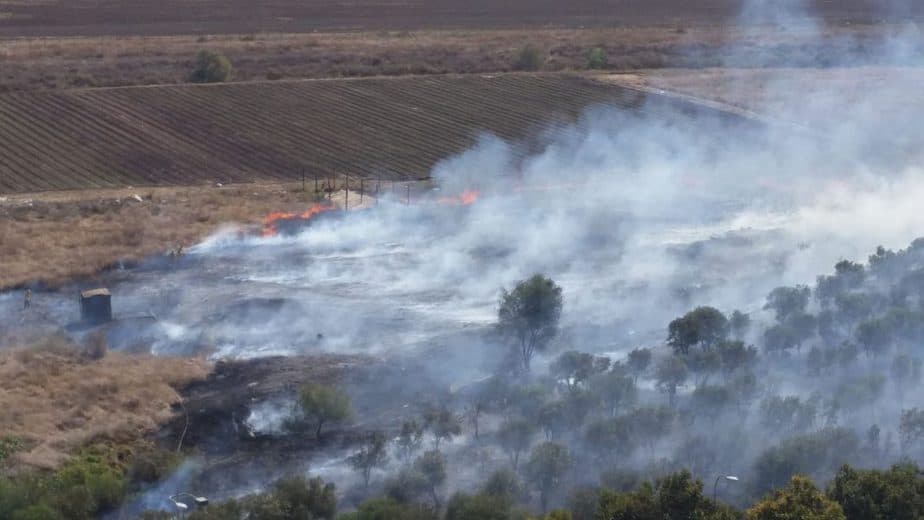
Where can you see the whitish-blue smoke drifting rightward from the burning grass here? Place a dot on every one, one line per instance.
(639, 216)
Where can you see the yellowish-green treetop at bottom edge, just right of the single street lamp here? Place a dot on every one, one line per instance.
(799, 500)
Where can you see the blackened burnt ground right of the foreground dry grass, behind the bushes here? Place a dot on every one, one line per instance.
(384, 392)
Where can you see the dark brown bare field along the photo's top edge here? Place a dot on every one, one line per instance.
(91, 17)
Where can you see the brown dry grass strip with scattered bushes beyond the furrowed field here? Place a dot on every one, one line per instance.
(135, 60)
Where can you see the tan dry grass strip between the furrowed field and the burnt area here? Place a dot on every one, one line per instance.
(56, 237)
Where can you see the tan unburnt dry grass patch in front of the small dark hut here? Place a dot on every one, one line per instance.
(57, 400)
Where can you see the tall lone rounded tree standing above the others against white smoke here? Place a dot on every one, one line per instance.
(529, 315)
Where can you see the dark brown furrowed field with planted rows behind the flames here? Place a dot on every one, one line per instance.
(376, 128)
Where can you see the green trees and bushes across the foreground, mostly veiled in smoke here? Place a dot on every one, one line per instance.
(819, 382)
